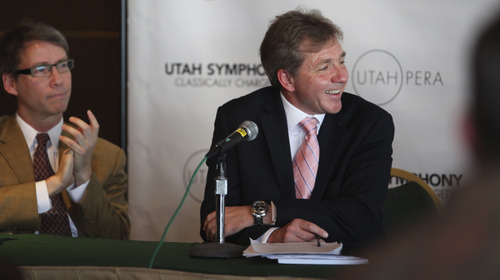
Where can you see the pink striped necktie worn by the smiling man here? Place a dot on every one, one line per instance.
(305, 163)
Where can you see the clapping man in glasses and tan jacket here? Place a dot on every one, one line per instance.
(89, 171)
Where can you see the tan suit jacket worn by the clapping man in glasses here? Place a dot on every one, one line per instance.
(101, 213)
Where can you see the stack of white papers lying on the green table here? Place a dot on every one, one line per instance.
(302, 253)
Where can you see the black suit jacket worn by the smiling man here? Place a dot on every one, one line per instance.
(353, 172)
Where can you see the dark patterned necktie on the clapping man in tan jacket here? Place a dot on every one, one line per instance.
(55, 221)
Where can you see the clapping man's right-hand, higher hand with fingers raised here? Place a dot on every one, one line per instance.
(85, 138)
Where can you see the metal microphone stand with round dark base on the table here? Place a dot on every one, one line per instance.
(219, 249)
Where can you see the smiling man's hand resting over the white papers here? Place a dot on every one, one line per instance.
(297, 230)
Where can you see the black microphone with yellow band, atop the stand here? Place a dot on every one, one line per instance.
(247, 131)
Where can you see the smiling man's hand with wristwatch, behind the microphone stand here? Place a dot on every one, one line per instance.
(236, 219)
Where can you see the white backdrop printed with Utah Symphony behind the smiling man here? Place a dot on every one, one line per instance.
(186, 58)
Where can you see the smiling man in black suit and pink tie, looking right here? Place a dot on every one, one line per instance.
(304, 61)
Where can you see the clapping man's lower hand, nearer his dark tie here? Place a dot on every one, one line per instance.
(64, 175)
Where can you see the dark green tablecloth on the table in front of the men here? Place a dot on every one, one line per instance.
(46, 250)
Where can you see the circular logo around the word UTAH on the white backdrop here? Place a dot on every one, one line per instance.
(377, 76)
